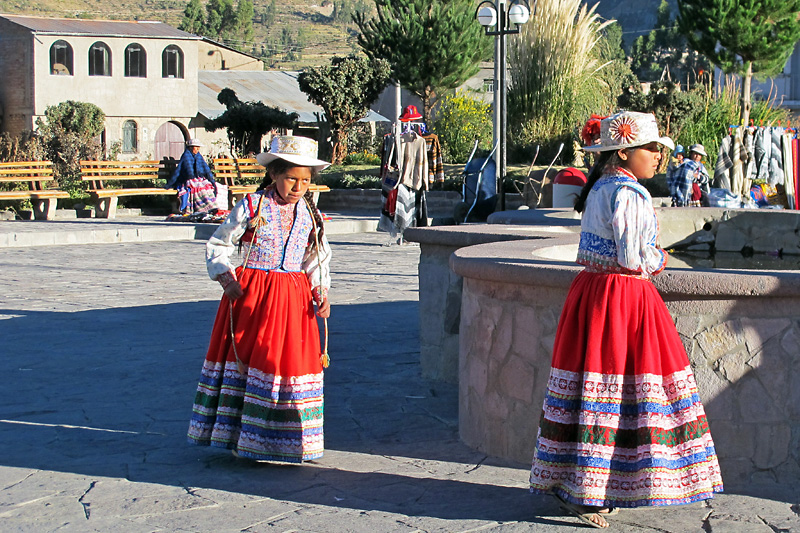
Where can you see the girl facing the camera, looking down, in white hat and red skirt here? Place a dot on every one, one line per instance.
(260, 391)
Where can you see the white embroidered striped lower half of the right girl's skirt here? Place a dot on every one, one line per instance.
(625, 441)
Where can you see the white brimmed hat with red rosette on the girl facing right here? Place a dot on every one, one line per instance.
(628, 129)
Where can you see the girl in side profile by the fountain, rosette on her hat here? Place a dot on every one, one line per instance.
(622, 424)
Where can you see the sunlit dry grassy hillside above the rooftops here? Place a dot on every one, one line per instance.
(306, 23)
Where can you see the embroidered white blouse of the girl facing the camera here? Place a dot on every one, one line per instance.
(281, 242)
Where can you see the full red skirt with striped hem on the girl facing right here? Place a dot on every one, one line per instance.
(622, 423)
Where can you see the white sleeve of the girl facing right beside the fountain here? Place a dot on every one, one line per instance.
(636, 233)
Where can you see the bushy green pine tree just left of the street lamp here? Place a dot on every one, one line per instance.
(431, 45)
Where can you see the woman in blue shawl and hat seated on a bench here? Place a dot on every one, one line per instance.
(194, 181)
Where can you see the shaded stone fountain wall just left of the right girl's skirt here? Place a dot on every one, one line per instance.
(506, 343)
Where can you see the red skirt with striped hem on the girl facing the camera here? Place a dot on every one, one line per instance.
(275, 410)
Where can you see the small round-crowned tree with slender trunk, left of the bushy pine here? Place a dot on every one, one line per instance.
(344, 89)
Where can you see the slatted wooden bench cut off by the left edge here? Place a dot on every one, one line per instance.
(34, 174)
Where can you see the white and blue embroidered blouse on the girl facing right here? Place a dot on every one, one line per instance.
(619, 228)
